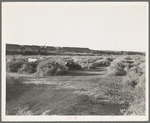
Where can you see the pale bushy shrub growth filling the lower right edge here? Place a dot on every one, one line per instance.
(137, 81)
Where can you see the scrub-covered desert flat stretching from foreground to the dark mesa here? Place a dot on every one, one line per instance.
(85, 91)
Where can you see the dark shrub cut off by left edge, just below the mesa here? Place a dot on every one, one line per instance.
(13, 66)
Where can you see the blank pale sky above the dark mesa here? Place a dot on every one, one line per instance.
(99, 26)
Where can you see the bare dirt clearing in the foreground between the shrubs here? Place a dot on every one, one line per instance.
(83, 92)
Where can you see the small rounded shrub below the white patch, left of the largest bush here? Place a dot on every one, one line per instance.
(26, 68)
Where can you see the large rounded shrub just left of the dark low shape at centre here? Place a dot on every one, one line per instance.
(50, 68)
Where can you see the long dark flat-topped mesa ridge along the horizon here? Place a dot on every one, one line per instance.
(12, 49)
